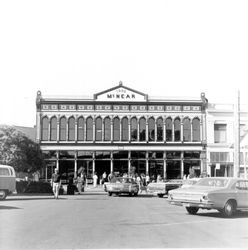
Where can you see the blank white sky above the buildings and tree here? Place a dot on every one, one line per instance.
(157, 47)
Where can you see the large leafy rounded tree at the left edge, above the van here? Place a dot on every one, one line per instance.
(18, 151)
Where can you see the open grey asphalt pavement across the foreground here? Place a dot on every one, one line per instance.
(94, 220)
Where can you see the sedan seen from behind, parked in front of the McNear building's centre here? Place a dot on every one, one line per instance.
(123, 185)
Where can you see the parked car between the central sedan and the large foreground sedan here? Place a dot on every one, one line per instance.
(162, 188)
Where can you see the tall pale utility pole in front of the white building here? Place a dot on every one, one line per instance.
(236, 136)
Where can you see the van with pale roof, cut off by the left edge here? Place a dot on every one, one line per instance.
(7, 181)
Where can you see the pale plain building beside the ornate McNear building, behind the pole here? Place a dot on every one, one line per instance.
(221, 132)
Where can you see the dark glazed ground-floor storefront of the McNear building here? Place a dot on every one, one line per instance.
(167, 164)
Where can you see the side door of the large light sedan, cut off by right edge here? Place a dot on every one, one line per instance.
(242, 193)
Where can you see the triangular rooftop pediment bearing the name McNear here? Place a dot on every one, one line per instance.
(120, 93)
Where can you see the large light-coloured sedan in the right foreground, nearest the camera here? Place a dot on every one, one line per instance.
(225, 194)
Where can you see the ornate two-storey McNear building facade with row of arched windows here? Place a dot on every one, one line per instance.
(124, 131)
